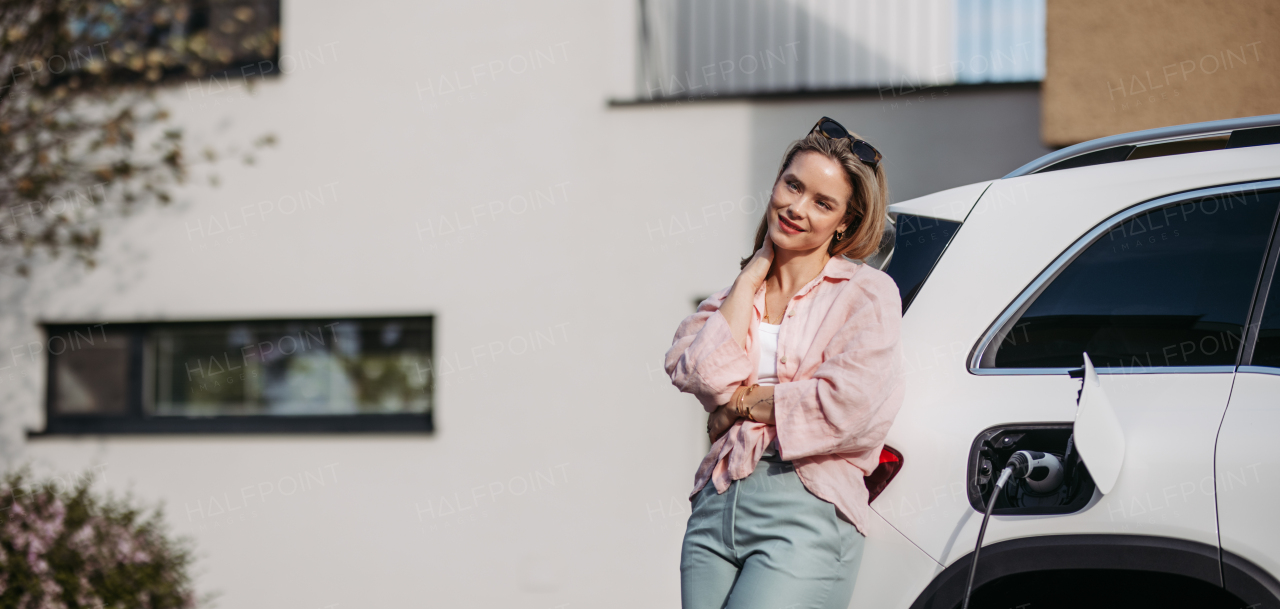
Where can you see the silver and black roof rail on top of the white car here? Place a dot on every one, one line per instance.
(1238, 134)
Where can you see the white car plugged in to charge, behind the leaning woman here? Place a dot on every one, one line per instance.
(1153, 255)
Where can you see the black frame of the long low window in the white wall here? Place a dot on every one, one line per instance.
(138, 422)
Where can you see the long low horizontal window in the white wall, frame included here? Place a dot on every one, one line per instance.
(241, 377)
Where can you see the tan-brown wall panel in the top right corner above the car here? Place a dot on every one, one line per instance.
(1114, 67)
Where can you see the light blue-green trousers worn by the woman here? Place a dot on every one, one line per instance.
(767, 543)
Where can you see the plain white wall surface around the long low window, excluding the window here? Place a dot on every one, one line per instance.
(634, 237)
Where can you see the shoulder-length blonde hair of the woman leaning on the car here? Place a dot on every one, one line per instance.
(866, 209)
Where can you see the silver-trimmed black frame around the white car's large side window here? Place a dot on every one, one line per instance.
(1016, 309)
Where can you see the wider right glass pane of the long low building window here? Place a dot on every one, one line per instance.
(292, 368)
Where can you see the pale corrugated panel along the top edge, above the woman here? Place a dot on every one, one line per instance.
(737, 48)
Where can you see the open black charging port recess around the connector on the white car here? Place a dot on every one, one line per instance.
(1039, 493)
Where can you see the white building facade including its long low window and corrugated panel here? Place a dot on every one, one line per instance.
(412, 358)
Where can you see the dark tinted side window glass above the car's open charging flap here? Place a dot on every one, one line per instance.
(1168, 287)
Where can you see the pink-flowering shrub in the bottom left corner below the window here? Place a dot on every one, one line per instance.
(71, 550)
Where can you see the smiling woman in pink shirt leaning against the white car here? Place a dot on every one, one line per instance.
(801, 368)
